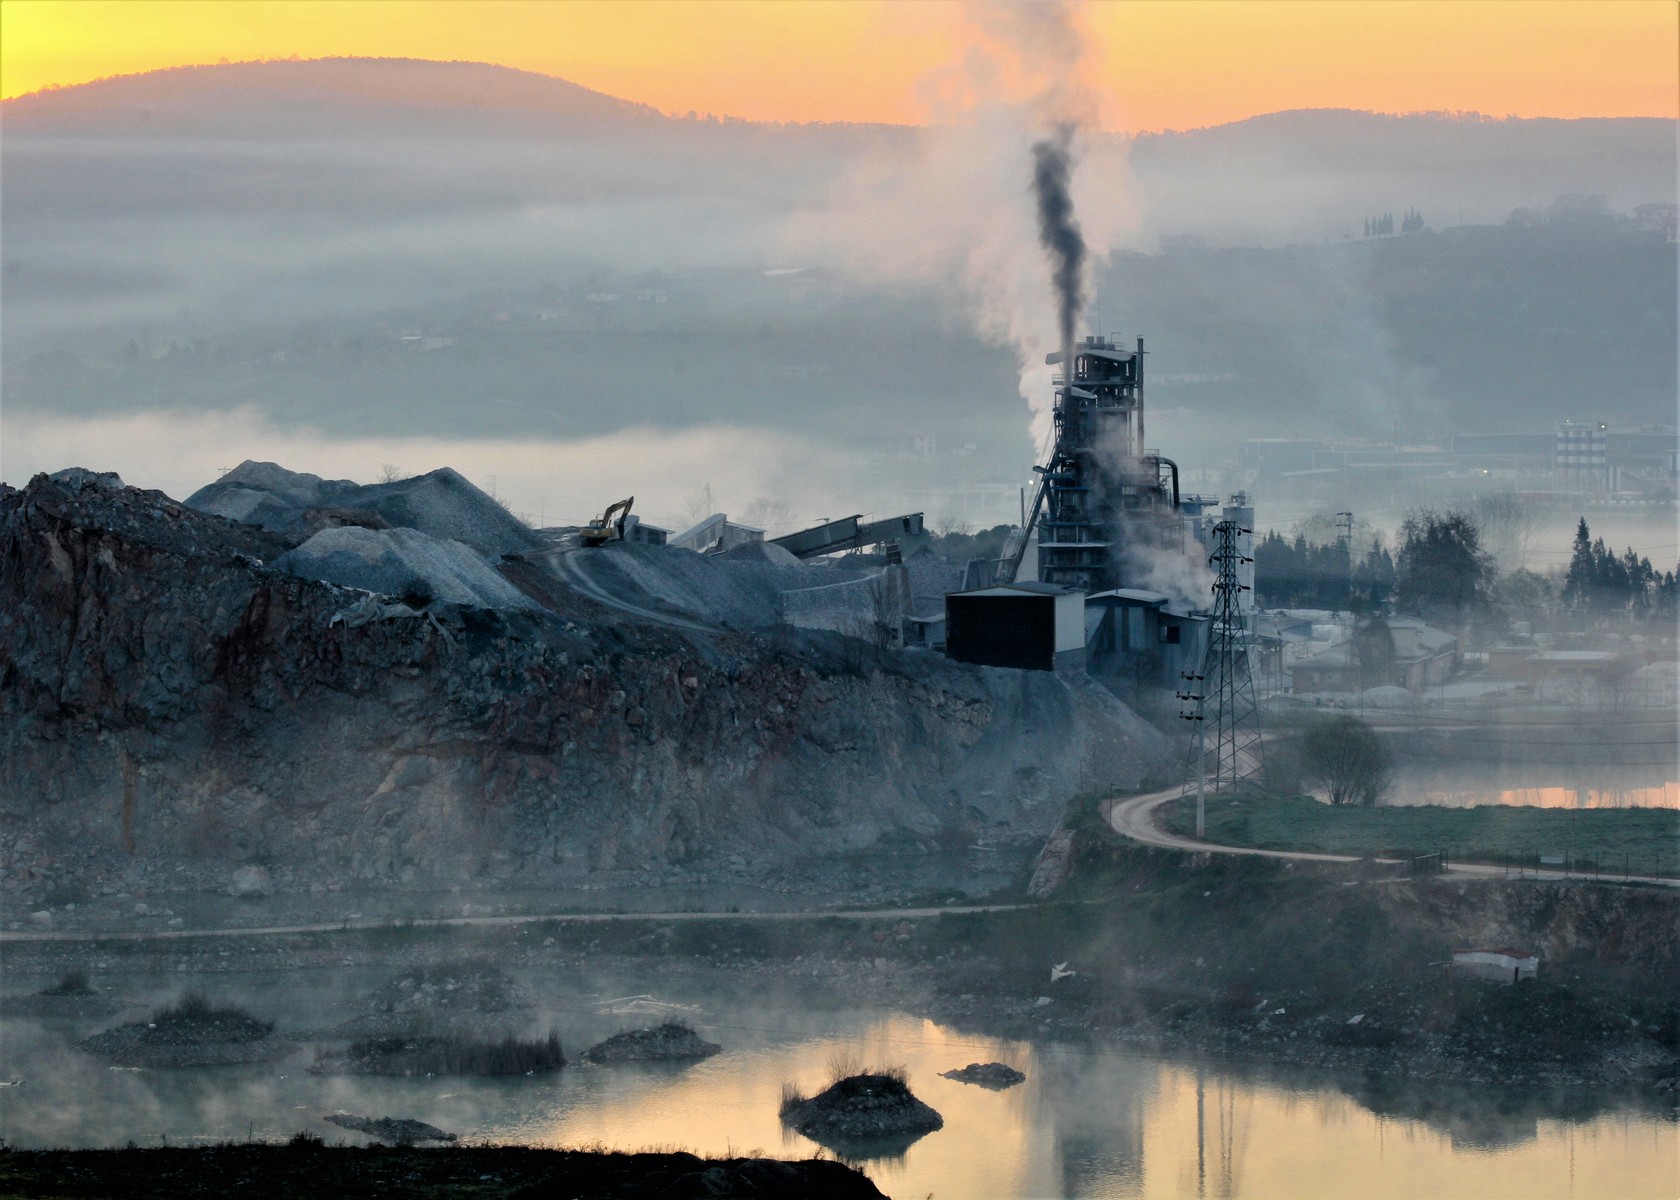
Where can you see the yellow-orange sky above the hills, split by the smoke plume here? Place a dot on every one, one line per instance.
(1165, 63)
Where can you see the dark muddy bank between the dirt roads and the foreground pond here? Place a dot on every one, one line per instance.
(1326, 971)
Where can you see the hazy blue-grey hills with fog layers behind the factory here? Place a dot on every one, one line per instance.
(364, 250)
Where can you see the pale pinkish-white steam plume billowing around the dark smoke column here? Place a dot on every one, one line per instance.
(958, 206)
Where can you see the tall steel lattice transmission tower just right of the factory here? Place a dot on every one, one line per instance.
(1226, 690)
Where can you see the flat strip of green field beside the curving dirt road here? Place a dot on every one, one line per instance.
(1593, 841)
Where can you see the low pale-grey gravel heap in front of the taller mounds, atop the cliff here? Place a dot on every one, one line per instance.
(402, 564)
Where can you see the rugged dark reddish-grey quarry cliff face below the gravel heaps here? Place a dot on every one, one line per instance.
(171, 702)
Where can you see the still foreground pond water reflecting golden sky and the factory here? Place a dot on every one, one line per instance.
(1106, 1124)
